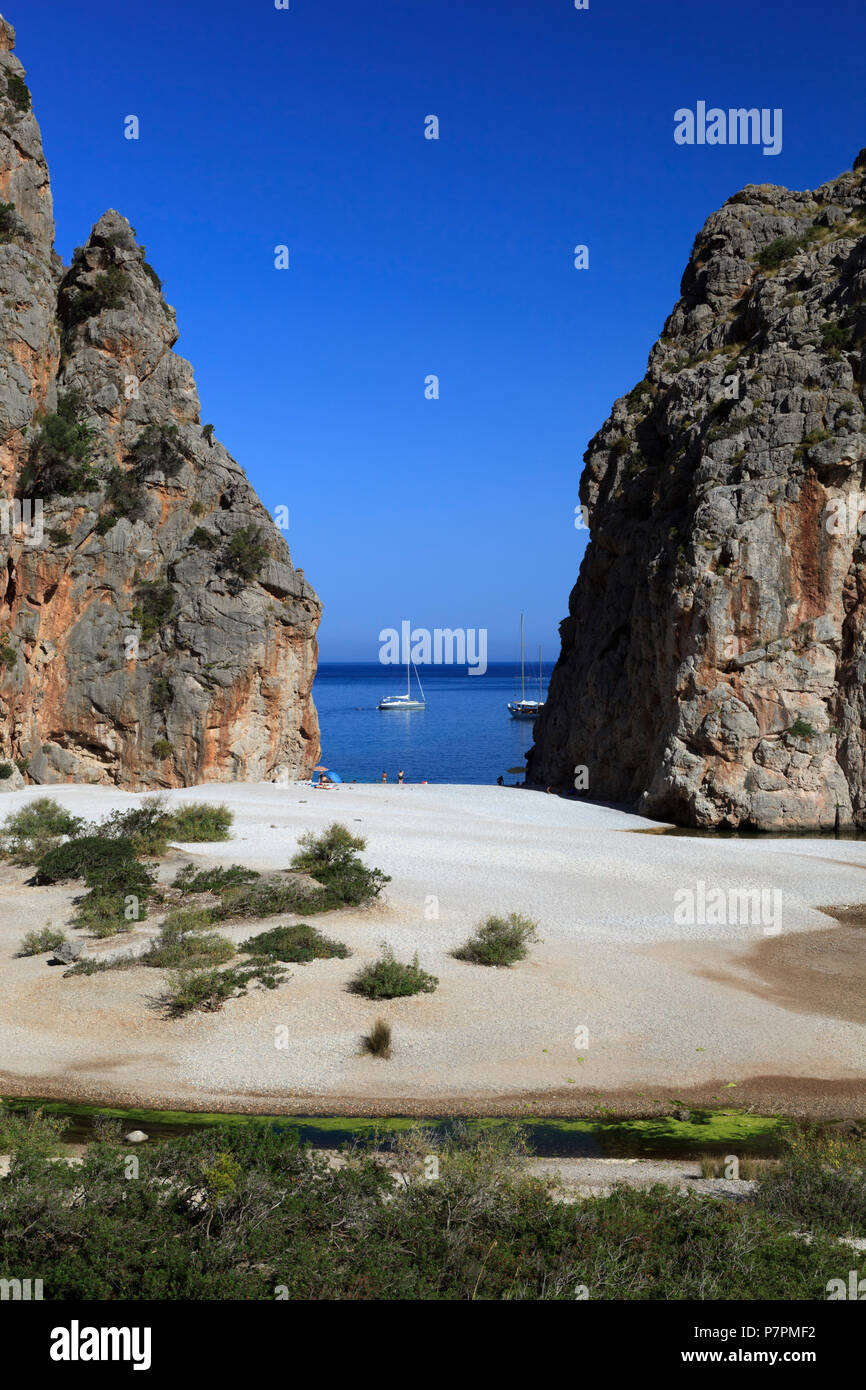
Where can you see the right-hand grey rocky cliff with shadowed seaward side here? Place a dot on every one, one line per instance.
(714, 660)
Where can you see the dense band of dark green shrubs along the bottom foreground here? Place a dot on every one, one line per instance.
(272, 1213)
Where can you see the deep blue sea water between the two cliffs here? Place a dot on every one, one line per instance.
(465, 736)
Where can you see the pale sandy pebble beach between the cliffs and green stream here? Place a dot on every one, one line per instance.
(712, 1014)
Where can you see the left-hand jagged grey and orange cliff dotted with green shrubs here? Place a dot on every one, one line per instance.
(154, 630)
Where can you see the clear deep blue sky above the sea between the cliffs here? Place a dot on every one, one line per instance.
(411, 256)
